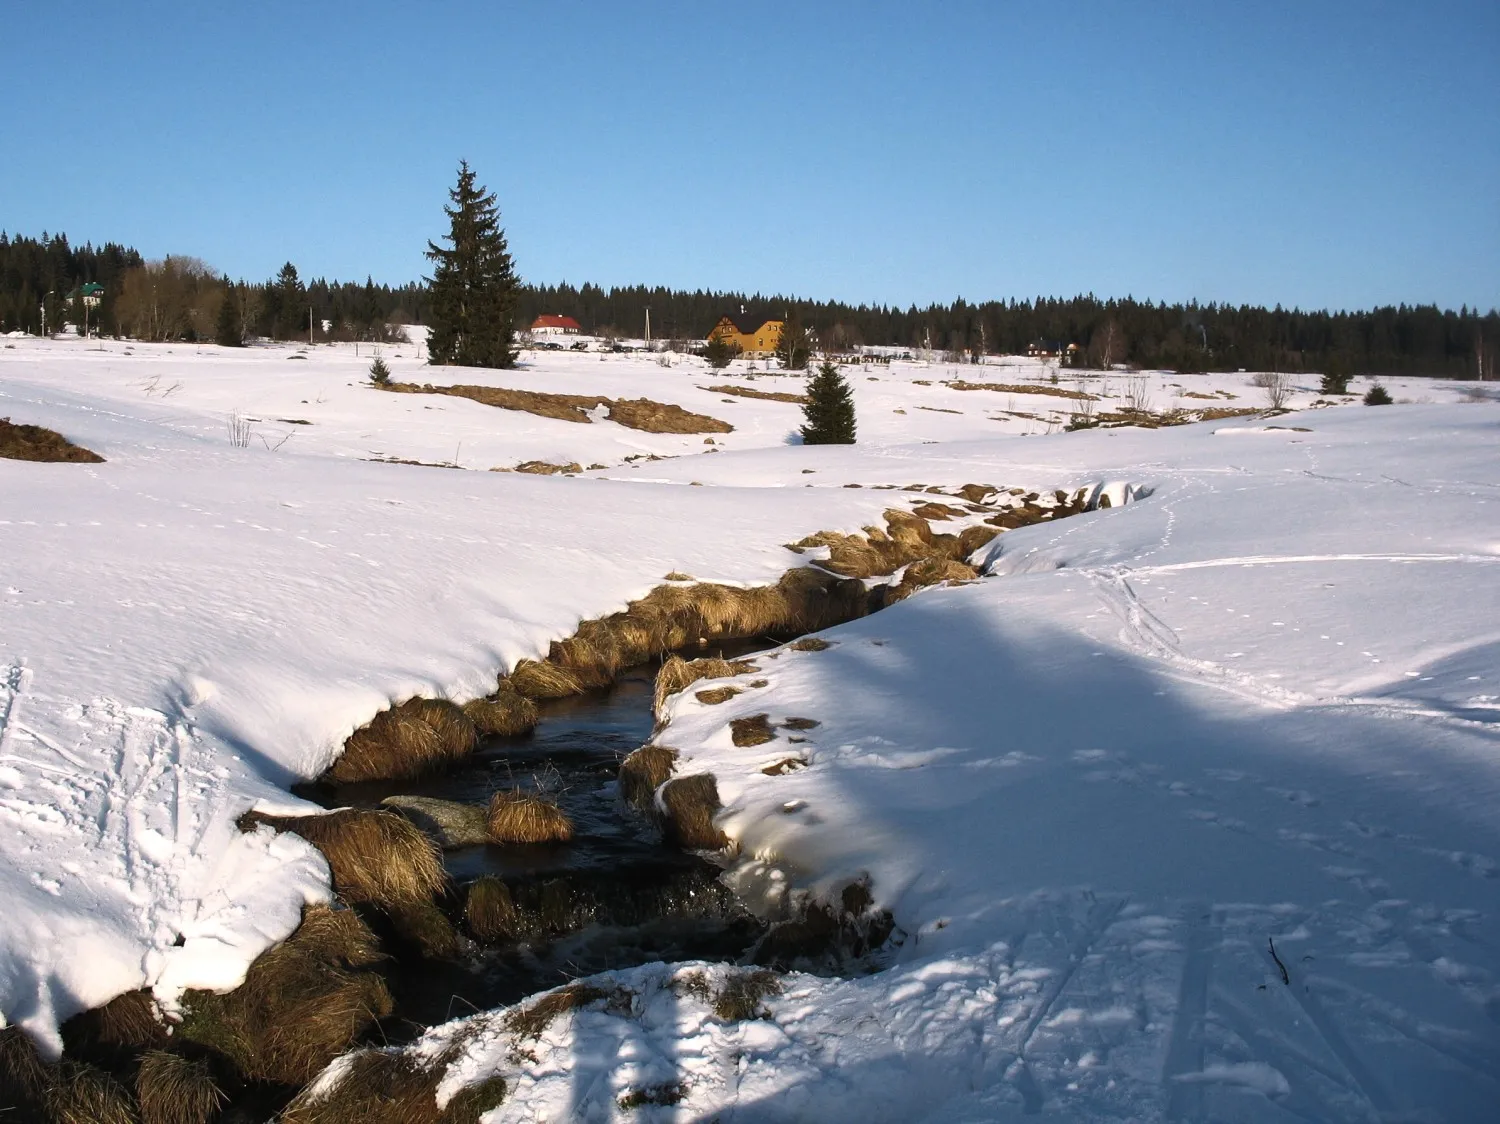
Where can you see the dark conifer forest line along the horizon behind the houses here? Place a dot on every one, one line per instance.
(179, 298)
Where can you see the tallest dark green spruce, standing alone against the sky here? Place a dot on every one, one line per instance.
(473, 284)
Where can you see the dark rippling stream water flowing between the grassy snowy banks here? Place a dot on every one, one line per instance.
(613, 897)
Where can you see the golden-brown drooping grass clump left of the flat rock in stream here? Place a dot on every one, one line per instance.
(379, 858)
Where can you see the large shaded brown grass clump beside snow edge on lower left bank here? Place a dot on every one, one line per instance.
(301, 1006)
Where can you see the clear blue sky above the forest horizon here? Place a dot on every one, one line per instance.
(1325, 155)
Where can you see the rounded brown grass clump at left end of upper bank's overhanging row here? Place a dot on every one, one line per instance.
(406, 742)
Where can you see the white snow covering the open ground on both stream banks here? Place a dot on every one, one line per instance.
(1258, 705)
